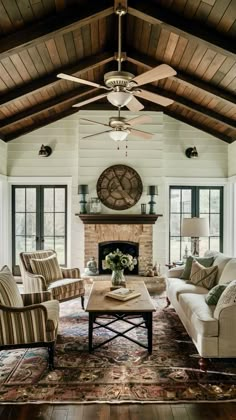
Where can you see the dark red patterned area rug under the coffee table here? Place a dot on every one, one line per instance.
(118, 371)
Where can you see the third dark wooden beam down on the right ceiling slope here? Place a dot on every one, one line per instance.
(192, 106)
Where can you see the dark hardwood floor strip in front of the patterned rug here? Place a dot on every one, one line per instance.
(203, 411)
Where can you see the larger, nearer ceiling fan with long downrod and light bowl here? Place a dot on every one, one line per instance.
(123, 87)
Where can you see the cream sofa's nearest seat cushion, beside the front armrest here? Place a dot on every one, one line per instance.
(199, 314)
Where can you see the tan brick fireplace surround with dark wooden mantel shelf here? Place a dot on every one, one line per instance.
(111, 228)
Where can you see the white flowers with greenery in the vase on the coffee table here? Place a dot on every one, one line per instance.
(116, 260)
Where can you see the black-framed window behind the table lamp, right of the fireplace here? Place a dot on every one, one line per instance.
(185, 201)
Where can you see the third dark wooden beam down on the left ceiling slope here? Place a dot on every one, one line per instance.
(76, 95)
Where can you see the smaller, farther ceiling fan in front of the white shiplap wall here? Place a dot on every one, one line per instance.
(120, 128)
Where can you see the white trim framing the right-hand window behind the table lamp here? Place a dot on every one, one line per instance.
(229, 244)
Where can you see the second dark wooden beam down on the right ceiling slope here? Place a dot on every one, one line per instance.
(145, 61)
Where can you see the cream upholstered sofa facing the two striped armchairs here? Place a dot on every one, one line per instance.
(214, 335)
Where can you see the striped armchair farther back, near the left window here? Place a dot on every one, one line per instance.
(40, 271)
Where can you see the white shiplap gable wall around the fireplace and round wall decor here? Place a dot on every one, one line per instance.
(84, 160)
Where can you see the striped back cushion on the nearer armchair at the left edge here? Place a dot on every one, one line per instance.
(9, 292)
